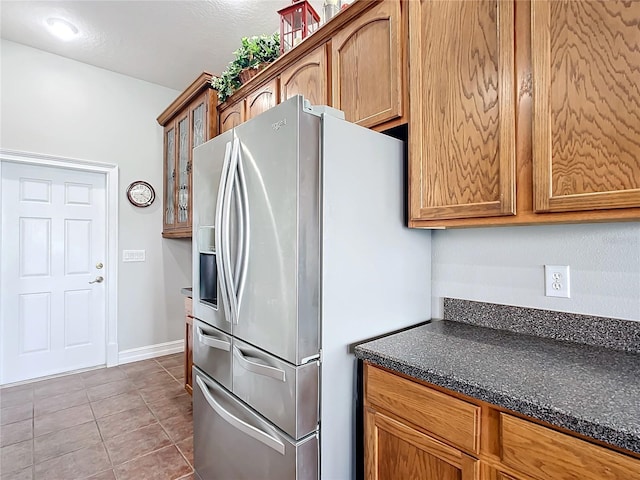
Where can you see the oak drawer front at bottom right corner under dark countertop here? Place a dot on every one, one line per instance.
(544, 453)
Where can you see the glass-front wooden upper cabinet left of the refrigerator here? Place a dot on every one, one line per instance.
(188, 122)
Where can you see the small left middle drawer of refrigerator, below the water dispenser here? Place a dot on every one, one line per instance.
(212, 352)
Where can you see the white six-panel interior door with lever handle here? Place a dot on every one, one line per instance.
(52, 317)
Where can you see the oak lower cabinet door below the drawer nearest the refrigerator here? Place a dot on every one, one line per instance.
(394, 450)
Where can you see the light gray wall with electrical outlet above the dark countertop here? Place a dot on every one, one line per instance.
(506, 265)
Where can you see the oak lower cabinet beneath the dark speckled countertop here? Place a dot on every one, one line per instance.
(415, 431)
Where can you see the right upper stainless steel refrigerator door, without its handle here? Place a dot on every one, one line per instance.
(282, 189)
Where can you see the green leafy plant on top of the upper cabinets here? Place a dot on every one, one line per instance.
(253, 53)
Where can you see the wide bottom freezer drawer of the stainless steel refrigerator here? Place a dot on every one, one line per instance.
(233, 442)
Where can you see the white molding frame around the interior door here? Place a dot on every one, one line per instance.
(111, 261)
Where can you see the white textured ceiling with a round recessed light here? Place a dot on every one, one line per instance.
(167, 42)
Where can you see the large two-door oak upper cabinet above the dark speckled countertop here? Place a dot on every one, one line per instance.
(570, 84)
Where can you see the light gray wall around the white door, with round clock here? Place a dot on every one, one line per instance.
(56, 106)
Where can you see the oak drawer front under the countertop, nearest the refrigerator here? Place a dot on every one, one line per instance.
(444, 416)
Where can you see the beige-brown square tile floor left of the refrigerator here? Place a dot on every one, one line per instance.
(128, 422)
